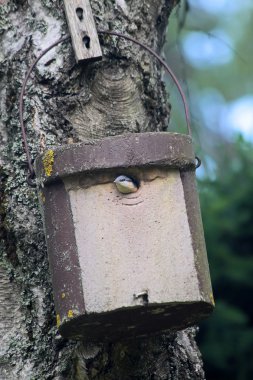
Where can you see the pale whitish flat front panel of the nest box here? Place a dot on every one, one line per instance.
(134, 243)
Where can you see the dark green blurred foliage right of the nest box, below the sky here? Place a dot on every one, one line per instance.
(227, 210)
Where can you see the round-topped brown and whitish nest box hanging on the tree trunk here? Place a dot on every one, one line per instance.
(124, 264)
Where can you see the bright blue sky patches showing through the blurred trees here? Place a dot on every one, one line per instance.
(216, 49)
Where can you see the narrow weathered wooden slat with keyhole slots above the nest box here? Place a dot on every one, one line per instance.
(83, 30)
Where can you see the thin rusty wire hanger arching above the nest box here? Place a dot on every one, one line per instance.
(31, 174)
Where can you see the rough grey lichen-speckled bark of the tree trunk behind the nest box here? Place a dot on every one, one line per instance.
(66, 103)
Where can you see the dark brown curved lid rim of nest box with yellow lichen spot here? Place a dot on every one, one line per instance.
(157, 149)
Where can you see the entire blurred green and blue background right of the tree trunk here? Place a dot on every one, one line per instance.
(210, 49)
